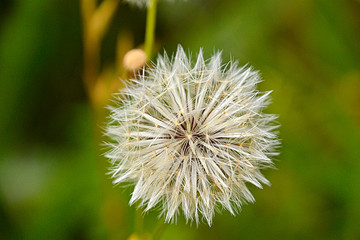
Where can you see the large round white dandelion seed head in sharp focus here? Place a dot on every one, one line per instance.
(190, 136)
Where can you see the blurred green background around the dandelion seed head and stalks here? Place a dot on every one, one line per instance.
(308, 52)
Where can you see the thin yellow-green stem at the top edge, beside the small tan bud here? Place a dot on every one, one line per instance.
(150, 28)
